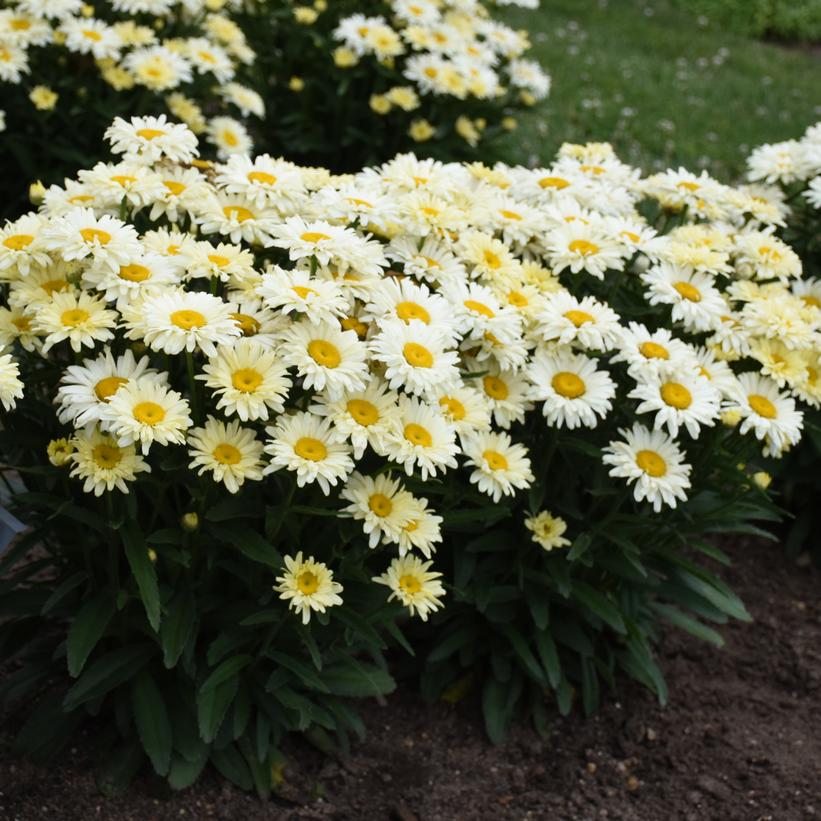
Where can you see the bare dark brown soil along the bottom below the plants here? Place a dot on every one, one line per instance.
(741, 739)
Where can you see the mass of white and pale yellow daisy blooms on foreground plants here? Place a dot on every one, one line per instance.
(370, 333)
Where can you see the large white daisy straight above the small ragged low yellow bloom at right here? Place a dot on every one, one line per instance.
(575, 393)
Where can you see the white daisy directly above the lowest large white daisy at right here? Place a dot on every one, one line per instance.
(679, 397)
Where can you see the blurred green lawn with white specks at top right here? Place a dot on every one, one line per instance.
(663, 87)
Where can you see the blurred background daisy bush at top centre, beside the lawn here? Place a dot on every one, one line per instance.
(397, 73)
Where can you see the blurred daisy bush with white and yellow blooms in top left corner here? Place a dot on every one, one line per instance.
(62, 59)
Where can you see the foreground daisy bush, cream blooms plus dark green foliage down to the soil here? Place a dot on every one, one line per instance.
(265, 422)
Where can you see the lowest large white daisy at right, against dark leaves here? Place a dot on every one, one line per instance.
(653, 463)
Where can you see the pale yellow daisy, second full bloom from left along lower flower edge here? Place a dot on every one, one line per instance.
(230, 453)
